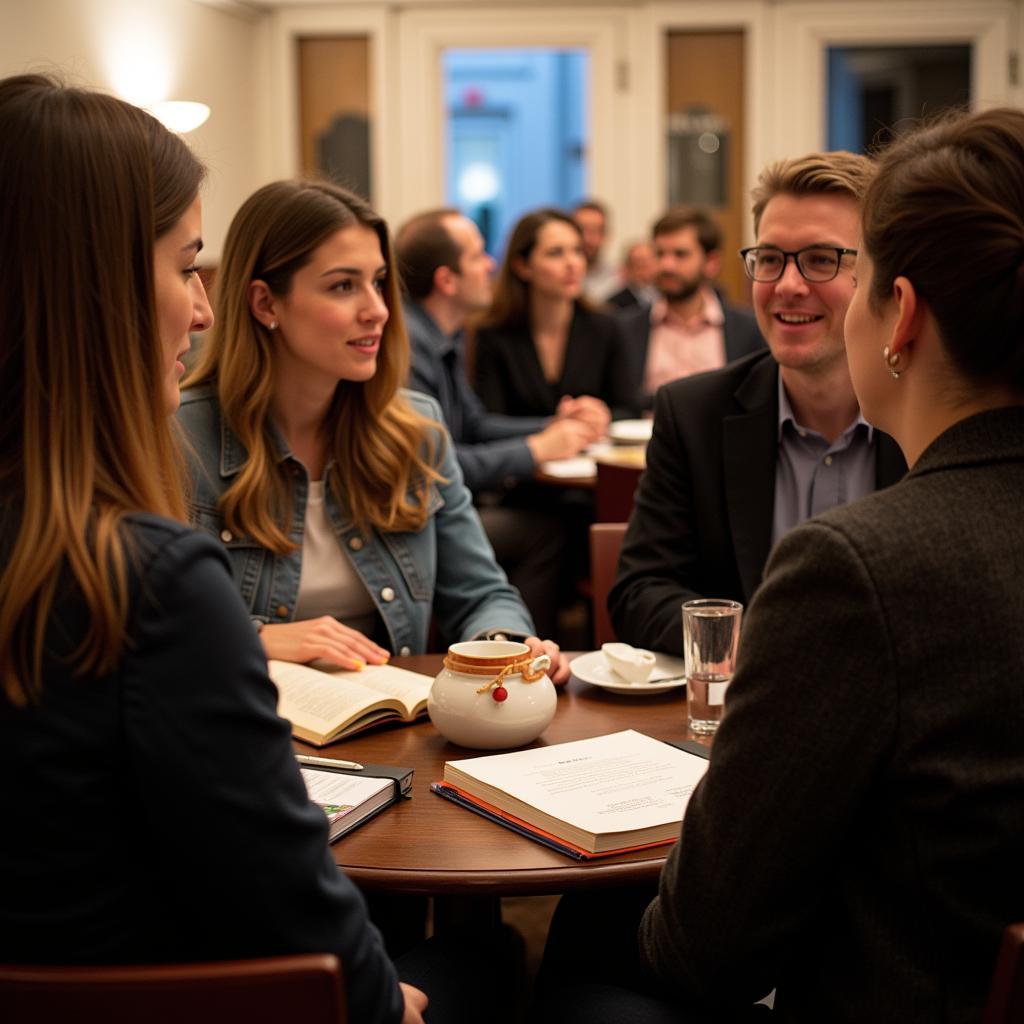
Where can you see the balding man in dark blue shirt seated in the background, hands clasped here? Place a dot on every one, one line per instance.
(446, 272)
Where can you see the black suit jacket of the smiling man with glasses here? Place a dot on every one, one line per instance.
(703, 518)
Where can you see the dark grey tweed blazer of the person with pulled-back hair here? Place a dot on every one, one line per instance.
(859, 841)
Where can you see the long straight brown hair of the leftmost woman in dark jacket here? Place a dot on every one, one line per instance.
(90, 183)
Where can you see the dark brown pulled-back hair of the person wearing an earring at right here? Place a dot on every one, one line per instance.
(947, 211)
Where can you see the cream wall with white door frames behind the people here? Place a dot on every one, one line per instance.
(241, 62)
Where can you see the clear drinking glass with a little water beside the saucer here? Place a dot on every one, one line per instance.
(711, 638)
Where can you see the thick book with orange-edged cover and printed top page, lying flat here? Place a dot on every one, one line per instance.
(587, 798)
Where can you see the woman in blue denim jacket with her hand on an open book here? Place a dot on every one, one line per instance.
(336, 494)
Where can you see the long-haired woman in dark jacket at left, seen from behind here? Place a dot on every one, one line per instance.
(136, 694)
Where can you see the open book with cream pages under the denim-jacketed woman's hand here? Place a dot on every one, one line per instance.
(326, 706)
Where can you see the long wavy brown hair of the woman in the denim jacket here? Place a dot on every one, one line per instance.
(383, 453)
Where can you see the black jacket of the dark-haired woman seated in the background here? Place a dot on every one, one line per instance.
(510, 380)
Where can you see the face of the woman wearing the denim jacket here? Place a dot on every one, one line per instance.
(331, 322)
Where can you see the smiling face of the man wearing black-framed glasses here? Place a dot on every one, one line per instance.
(801, 321)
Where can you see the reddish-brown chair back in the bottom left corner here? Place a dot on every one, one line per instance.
(307, 988)
